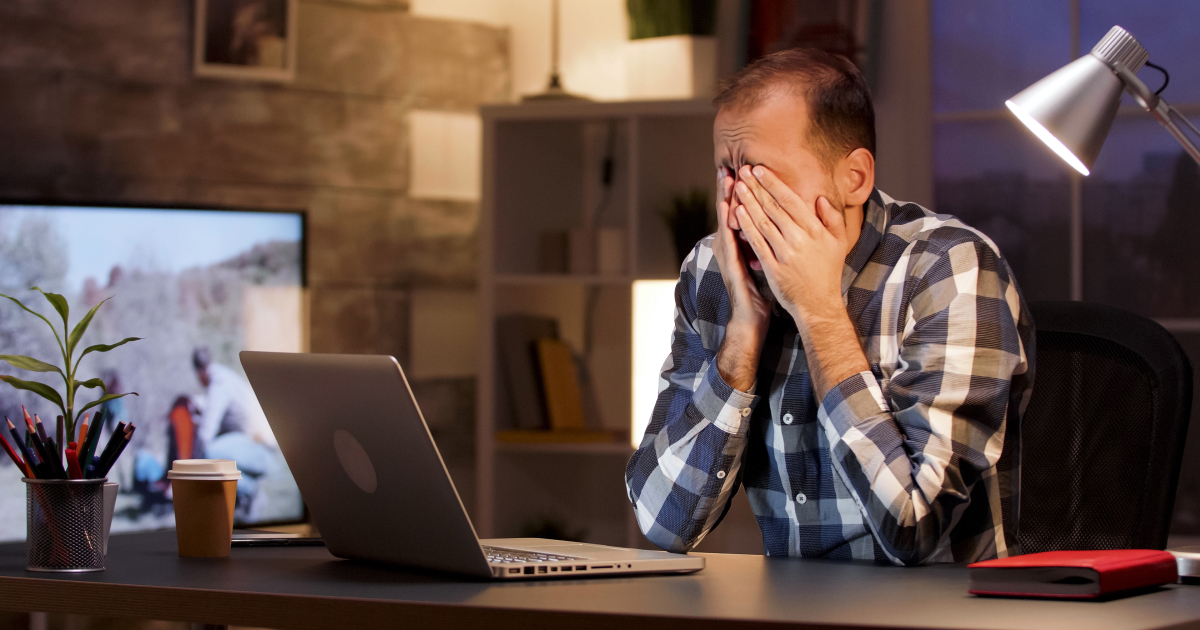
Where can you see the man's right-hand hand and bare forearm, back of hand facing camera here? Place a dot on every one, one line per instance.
(803, 248)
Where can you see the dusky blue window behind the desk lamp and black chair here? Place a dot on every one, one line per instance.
(1123, 236)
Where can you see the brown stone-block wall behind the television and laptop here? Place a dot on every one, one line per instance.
(99, 104)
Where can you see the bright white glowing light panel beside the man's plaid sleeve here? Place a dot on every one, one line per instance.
(653, 327)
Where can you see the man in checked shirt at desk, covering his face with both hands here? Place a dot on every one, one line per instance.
(860, 365)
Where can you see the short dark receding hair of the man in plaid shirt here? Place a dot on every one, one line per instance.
(842, 116)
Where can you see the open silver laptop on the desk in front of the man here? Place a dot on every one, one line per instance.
(377, 488)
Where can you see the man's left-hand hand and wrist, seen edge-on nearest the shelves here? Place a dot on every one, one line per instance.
(745, 334)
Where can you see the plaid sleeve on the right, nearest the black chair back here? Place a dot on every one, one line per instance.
(917, 446)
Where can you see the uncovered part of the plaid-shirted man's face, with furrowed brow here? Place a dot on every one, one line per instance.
(772, 134)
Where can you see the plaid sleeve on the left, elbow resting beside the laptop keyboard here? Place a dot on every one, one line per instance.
(687, 469)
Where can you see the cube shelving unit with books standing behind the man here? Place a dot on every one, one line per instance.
(543, 171)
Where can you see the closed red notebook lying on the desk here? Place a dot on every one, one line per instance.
(1072, 574)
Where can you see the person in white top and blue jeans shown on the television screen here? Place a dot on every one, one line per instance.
(233, 427)
